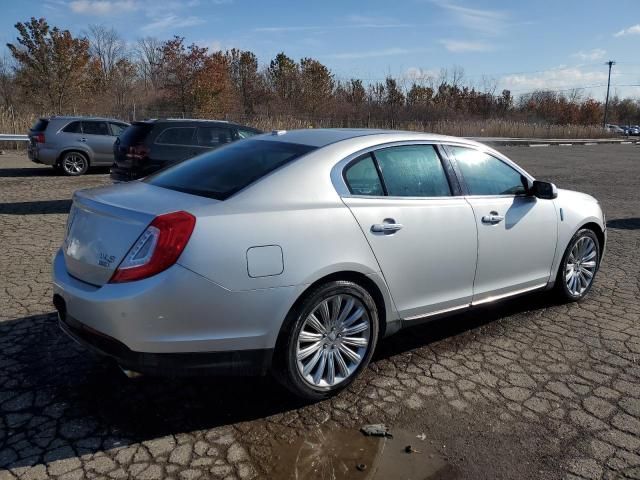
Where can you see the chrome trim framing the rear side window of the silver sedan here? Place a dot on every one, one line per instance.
(339, 183)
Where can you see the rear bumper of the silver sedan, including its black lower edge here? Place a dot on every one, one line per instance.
(176, 313)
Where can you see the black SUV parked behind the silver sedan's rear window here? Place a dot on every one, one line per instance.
(150, 145)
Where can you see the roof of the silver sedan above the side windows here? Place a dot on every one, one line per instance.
(321, 137)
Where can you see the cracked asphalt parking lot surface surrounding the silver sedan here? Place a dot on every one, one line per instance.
(523, 389)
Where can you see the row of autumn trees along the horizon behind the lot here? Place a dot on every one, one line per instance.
(52, 71)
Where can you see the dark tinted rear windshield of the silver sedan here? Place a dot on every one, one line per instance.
(220, 173)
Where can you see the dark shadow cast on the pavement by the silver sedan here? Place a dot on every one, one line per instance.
(57, 398)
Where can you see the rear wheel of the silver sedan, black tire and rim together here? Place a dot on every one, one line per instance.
(349, 307)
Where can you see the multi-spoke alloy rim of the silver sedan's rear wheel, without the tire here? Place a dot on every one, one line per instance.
(333, 341)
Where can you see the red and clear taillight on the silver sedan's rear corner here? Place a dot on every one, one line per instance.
(157, 248)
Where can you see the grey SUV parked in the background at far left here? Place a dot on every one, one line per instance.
(73, 144)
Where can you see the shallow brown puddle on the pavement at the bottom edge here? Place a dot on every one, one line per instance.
(348, 454)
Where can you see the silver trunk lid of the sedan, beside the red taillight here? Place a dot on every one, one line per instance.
(105, 222)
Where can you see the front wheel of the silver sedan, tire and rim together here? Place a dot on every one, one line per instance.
(572, 275)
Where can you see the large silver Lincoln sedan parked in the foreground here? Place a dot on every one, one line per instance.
(297, 251)
